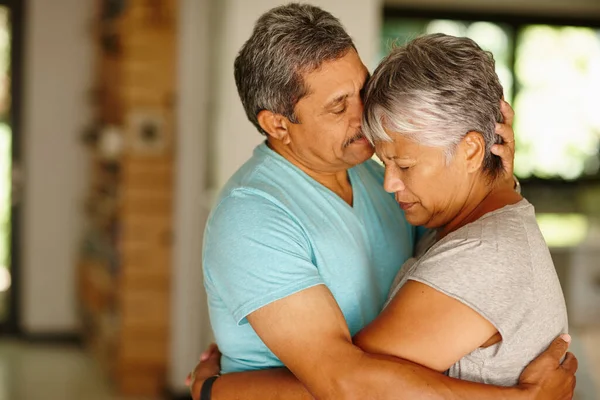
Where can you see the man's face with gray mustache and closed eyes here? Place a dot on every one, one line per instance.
(328, 137)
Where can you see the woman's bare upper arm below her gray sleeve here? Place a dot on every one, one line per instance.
(427, 327)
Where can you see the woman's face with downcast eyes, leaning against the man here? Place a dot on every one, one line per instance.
(430, 190)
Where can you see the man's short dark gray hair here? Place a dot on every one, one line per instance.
(287, 41)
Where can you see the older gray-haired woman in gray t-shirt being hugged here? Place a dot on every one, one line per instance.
(482, 298)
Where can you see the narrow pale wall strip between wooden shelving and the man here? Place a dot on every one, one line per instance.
(190, 329)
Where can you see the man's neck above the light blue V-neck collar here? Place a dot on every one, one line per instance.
(336, 181)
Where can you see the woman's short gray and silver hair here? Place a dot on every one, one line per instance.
(434, 90)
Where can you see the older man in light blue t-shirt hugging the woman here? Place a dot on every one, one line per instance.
(303, 244)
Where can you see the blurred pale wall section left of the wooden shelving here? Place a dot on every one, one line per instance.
(57, 78)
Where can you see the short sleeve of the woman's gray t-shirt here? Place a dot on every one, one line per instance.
(488, 278)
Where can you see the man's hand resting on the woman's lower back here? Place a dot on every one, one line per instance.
(547, 378)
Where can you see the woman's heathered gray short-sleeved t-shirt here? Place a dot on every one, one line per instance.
(499, 266)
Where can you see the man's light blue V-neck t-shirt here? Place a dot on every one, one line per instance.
(275, 231)
